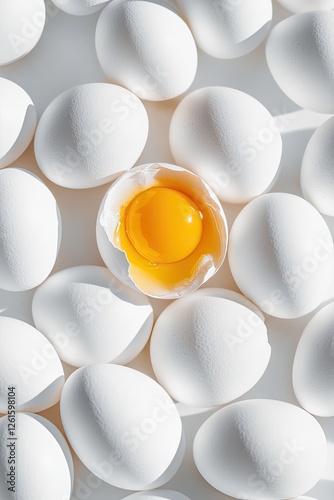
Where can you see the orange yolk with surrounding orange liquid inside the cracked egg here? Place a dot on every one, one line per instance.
(146, 272)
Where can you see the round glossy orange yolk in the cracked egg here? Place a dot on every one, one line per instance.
(164, 225)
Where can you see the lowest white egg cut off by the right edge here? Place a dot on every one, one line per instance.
(313, 368)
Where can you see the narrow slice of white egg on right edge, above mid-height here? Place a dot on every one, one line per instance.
(317, 172)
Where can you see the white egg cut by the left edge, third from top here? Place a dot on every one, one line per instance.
(30, 230)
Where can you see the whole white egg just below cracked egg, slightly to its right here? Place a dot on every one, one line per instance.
(207, 350)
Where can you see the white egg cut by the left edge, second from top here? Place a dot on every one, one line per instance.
(17, 121)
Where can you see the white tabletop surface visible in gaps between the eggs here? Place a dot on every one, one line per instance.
(66, 57)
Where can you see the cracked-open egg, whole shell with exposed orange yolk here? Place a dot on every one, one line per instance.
(161, 230)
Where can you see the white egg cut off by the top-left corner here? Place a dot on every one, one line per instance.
(21, 26)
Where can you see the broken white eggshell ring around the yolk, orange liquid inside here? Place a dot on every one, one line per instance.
(192, 271)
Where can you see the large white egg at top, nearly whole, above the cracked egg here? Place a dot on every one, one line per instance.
(147, 48)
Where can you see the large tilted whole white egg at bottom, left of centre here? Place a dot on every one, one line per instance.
(122, 425)
